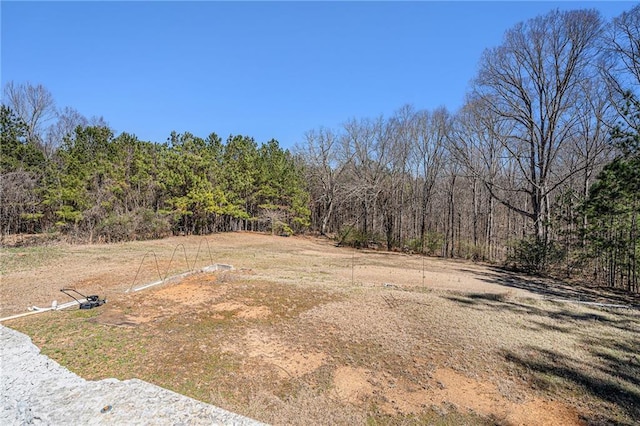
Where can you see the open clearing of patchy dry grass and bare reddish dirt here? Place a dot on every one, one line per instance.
(304, 332)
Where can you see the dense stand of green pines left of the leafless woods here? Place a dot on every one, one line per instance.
(99, 187)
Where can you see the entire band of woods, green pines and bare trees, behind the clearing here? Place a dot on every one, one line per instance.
(540, 169)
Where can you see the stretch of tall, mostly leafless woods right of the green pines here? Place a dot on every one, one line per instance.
(538, 169)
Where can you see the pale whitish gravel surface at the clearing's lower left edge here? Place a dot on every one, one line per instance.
(37, 390)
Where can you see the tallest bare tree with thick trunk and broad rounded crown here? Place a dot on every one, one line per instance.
(532, 82)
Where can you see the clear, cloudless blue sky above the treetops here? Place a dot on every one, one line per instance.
(262, 69)
